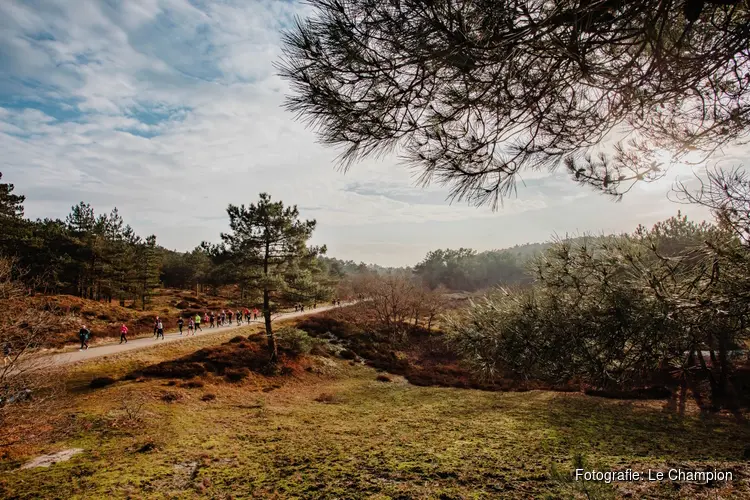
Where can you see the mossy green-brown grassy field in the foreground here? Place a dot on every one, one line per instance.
(335, 431)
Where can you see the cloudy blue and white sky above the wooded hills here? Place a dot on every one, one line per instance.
(171, 109)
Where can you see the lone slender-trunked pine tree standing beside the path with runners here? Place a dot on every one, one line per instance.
(268, 244)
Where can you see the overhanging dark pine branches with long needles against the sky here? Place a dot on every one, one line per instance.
(472, 92)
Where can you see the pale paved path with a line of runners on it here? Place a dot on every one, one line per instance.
(133, 344)
